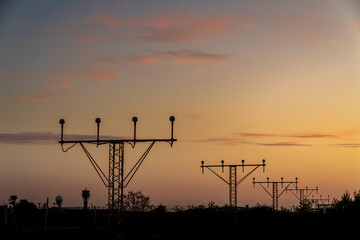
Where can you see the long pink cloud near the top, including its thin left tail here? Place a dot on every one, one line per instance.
(167, 26)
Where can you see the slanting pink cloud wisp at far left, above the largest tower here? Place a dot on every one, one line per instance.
(61, 86)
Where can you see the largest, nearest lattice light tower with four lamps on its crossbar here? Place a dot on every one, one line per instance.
(116, 180)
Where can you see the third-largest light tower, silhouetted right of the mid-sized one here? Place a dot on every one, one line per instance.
(275, 195)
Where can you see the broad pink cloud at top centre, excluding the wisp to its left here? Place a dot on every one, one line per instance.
(184, 27)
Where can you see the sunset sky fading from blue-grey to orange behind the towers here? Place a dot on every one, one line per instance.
(246, 80)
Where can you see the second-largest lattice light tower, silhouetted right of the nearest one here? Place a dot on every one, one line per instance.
(233, 183)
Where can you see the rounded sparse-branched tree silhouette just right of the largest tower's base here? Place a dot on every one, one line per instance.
(136, 202)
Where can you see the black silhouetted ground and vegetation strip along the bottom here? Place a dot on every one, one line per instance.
(209, 223)
